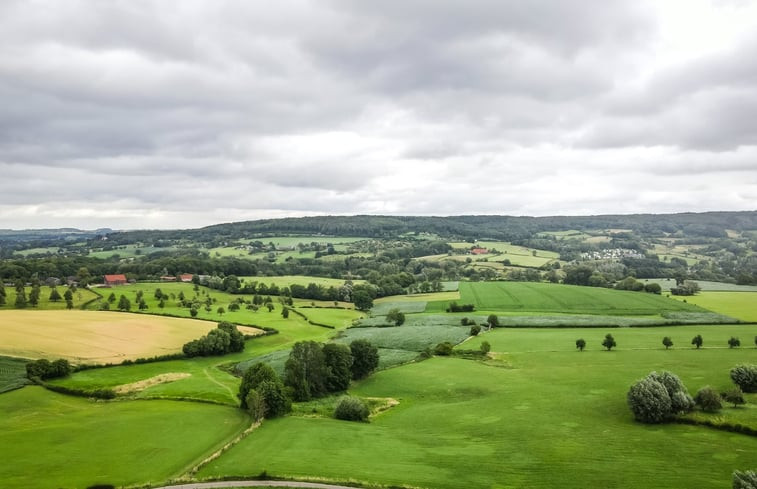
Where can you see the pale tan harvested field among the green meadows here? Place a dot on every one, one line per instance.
(94, 336)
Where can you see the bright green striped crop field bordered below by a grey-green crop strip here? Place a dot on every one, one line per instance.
(553, 298)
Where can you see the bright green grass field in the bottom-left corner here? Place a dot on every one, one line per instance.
(49, 441)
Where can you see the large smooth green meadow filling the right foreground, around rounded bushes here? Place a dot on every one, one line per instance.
(537, 423)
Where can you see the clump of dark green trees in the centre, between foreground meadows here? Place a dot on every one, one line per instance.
(312, 370)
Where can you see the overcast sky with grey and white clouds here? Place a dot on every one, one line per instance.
(156, 114)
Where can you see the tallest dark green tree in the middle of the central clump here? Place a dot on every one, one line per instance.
(305, 371)
